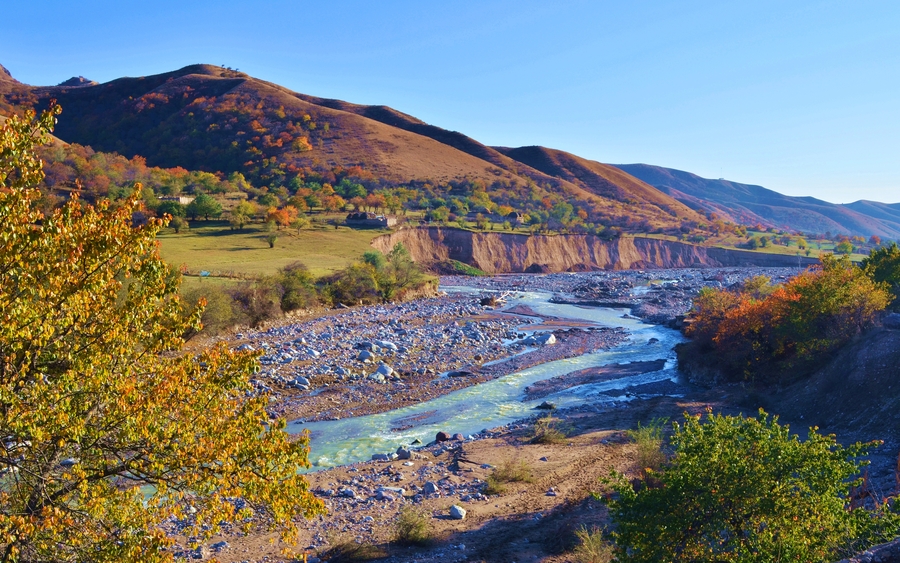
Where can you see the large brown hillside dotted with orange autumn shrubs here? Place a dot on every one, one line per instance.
(214, 119)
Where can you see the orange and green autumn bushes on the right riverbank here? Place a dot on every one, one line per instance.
(770, 335)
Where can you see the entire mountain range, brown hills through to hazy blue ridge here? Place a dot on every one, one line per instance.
(211, 118)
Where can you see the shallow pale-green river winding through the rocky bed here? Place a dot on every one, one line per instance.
(497, 402)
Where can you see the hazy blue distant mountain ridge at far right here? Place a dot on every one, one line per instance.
(749, 204)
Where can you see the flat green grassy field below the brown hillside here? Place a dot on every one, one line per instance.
(213, 247)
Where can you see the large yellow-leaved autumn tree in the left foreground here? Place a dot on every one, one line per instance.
(109, 428)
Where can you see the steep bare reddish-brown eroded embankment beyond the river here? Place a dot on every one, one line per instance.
(506, 252)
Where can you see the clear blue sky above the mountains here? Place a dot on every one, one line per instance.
(802, 97)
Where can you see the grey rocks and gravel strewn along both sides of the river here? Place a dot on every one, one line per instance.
(371, 359)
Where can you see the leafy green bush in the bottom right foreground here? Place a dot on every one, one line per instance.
(745, 489)
